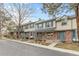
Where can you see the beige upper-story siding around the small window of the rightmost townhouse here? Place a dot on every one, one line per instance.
(71, 24)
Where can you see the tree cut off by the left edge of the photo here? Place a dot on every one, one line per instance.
(3, 18)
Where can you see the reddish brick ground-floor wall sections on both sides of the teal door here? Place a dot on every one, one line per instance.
(54, 36)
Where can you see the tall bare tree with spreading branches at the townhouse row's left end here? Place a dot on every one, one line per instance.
(20, 12)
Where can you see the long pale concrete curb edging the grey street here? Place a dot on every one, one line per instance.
(48, 47)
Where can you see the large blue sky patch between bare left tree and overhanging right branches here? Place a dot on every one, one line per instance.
(38, 13)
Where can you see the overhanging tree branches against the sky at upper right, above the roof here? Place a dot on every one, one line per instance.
(55, 9)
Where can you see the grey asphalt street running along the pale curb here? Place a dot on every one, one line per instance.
(10, 48)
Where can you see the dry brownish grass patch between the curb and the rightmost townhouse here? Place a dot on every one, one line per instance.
(72, 46)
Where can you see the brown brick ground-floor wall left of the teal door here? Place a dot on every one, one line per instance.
(48, 36)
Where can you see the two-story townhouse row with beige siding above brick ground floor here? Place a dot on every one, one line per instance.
(63, 29)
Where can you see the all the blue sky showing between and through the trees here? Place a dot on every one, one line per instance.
(40, 14)
